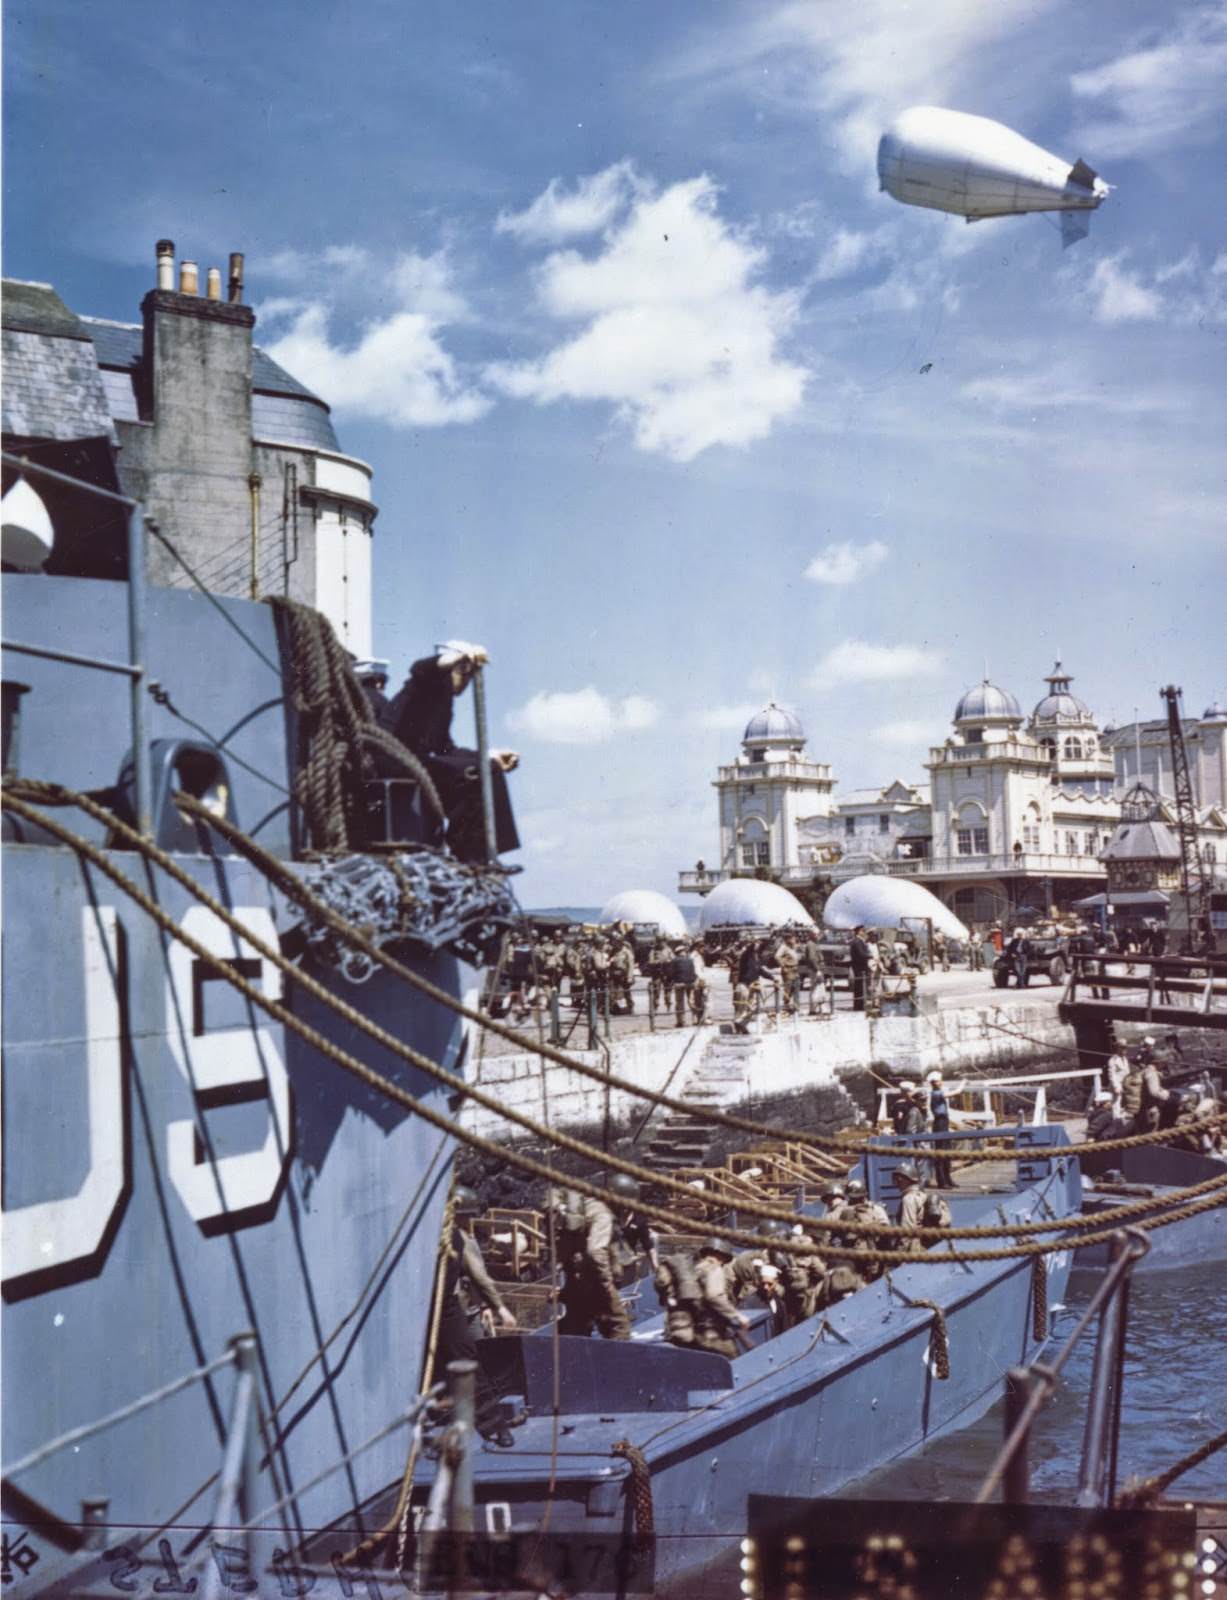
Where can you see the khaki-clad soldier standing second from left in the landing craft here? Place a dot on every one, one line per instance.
(596, 1241)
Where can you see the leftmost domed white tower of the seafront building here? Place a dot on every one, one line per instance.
(764, 796)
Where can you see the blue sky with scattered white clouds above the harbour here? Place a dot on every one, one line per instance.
(668, 406)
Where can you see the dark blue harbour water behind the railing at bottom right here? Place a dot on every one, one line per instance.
(1175, 1399)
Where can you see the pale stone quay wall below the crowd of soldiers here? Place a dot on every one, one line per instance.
(783, 1063)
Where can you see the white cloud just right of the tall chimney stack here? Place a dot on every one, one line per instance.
(396, 369)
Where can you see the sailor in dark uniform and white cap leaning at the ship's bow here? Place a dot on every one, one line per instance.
(422, 719)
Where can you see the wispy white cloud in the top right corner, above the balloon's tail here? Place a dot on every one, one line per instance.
(1161, 98)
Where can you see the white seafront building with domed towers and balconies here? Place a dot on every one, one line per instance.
(1018, 810)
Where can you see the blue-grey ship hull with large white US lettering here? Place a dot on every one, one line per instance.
(180, 1169)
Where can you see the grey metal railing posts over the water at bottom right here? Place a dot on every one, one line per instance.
(1029, 1388)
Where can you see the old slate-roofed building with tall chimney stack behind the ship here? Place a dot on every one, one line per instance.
(236, 462)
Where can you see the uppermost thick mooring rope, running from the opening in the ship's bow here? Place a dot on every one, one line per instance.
(294, 887)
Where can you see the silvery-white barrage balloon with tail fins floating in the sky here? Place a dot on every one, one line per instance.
(975, 167)
